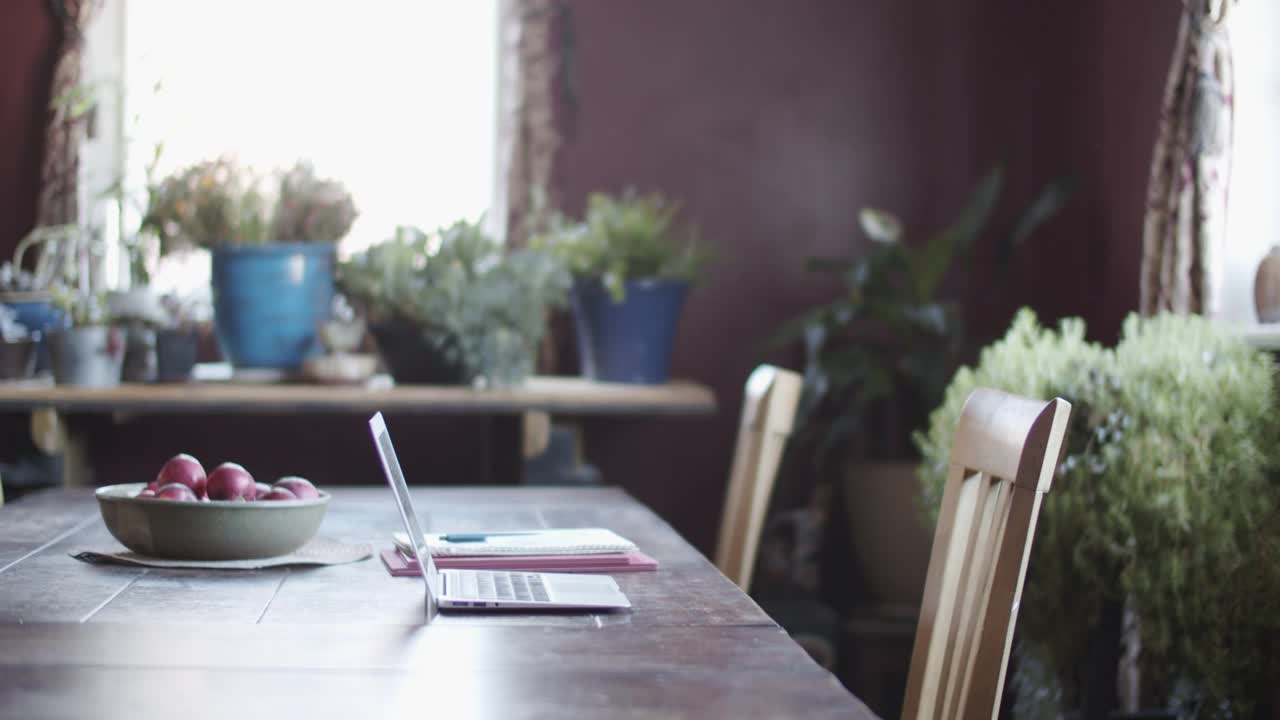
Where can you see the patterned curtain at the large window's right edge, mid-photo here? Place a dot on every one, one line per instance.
(532, 38)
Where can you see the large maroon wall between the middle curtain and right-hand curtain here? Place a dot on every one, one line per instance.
(775, 122)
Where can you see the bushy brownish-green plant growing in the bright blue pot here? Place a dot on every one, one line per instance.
(221, 203)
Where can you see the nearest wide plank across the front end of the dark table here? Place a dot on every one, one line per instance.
(403, 671)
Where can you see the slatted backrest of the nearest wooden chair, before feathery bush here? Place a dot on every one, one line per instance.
(1004, 455)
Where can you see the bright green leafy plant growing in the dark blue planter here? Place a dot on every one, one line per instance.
(627, 238)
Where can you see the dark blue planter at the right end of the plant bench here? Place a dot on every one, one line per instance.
(629, 341)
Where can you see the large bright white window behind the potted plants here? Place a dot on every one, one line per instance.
(396, 99)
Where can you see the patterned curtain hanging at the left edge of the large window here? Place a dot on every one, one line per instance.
(65, 130)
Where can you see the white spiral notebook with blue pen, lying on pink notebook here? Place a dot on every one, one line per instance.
(559, 541)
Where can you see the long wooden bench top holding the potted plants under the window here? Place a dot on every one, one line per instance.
(564, 395)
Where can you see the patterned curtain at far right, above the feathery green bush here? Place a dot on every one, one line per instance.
(1191, 168)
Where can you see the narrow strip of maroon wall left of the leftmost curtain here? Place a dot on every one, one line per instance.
(28, 45)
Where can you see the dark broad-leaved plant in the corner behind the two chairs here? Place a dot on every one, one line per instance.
(892, 340)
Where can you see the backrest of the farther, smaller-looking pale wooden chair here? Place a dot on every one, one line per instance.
(769, 413)
